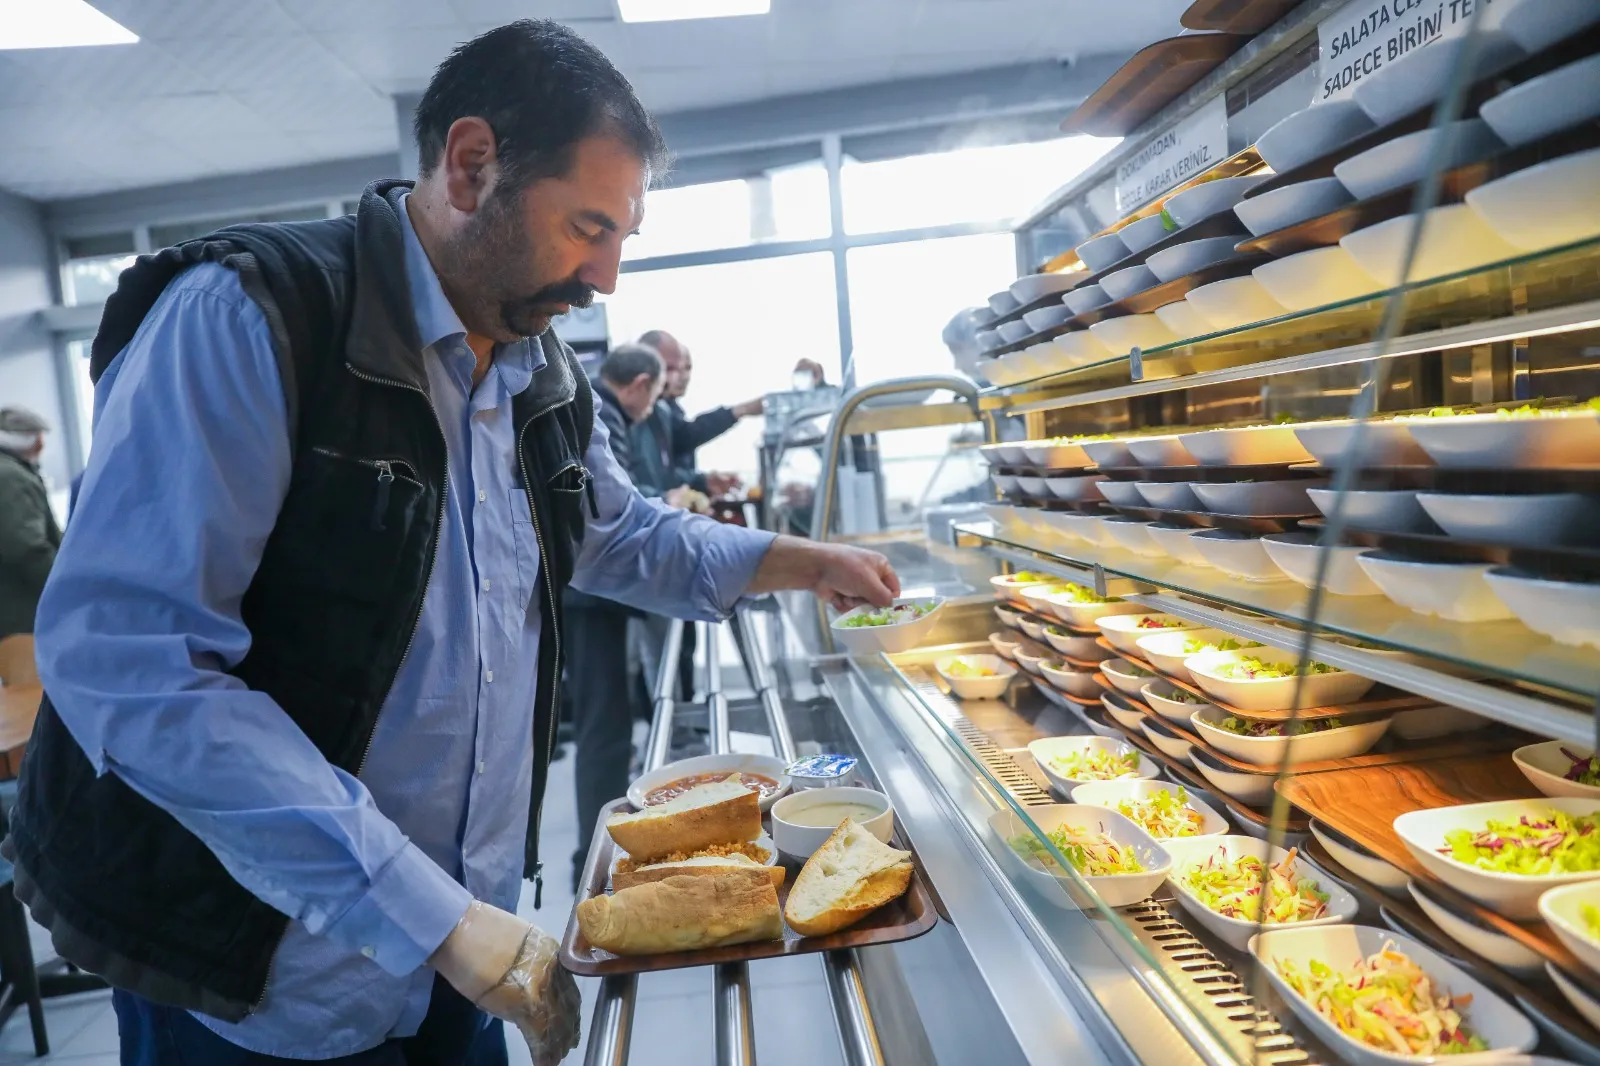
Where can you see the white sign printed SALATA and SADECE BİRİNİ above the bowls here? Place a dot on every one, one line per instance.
(1370, 34)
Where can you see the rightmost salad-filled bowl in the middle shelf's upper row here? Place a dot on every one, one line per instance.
(1490, 441)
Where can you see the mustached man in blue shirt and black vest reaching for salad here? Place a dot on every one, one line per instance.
(302, 641)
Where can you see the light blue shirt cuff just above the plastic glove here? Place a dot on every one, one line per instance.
(406, 916)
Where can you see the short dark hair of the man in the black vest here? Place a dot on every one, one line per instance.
(543, 89)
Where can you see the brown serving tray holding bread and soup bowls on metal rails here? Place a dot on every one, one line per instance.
(908, 918)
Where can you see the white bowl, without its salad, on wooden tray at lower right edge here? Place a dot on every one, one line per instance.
(1513, 896)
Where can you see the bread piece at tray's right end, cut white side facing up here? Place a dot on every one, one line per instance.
(844, 881)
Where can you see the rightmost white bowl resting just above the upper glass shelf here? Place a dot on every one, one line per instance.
(1546, 206)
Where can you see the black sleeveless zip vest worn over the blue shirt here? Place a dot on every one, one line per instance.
(126, 891)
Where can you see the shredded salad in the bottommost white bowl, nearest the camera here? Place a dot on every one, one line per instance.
(1388, 1003)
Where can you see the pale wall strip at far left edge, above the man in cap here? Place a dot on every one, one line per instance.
(28, 364)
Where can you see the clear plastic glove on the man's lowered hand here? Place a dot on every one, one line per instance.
(510, 969)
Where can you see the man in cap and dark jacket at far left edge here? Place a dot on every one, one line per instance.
(30, 535)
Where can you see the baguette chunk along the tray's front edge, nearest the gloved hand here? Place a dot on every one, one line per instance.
(684, 915)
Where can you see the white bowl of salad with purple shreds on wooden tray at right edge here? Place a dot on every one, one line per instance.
(1519, 827)
